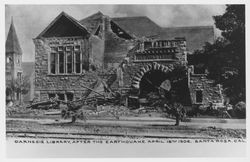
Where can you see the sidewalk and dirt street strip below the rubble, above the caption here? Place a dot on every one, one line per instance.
(138, 128)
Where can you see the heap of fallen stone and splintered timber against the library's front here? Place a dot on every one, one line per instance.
(98, 100)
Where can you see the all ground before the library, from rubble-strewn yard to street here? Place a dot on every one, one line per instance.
(29, 123)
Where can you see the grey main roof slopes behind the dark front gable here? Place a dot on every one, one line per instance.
(142, 26)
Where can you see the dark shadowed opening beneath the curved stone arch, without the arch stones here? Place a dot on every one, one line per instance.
(156, 85)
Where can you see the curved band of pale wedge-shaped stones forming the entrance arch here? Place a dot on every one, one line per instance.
(148, 67)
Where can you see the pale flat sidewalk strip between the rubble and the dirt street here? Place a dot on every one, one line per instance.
(195, 123)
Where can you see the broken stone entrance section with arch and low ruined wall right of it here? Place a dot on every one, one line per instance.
(155, 62)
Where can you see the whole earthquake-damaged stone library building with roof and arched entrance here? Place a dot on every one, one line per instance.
(132, 55)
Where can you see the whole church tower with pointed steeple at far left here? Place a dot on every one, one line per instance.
(13, 63)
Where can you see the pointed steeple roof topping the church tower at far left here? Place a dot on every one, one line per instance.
(12, 44)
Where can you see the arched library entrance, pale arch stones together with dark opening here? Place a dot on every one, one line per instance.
(170, 82)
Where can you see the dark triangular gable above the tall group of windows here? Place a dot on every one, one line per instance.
(64, 26)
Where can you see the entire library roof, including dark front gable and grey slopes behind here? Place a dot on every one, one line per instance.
(128, 28)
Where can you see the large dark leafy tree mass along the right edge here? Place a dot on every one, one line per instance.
(225, 58)
